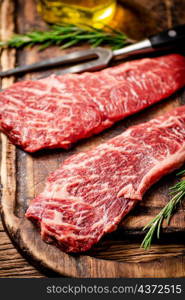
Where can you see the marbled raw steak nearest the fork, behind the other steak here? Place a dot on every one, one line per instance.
(60, 110)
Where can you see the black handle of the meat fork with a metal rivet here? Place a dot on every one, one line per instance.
(171, 38)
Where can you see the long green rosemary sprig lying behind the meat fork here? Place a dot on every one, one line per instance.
(68, 35)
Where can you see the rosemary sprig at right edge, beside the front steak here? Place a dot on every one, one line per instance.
(178, 194)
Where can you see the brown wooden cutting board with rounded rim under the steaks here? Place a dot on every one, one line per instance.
(23, 175)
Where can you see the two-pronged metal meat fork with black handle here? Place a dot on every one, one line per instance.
(98, 58)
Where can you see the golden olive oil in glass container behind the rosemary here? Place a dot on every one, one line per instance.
(91, 12)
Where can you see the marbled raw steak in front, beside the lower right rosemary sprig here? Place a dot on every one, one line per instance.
(92, 191)
